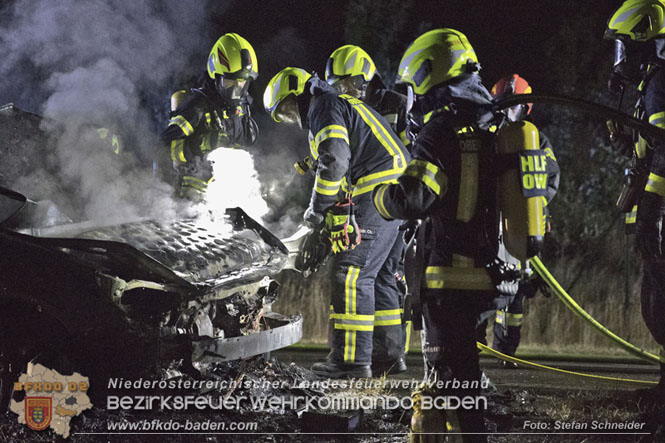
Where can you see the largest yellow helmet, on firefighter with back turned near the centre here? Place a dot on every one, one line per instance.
(436, 57)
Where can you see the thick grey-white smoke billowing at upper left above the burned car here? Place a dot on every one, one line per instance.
(89, 64)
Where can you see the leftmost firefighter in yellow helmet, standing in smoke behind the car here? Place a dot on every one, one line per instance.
(215, 114)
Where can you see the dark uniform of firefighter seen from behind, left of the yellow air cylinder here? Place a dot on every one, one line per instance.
(451, 183)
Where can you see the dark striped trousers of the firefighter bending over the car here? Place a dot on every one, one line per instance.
(365, 305)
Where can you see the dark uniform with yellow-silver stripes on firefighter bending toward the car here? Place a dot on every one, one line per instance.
(352, 144)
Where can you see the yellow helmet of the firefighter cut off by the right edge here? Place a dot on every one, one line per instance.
(640, 20)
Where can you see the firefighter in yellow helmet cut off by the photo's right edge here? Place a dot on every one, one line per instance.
(638, 31)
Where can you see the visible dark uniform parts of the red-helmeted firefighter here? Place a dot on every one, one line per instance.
(509, 309)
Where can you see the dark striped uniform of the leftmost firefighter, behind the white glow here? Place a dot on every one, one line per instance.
(200, 124)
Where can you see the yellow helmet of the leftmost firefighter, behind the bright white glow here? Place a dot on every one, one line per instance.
(233, 57)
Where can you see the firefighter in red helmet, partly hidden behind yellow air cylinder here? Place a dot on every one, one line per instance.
(509, 309)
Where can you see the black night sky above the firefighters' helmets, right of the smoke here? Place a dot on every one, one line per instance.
(508, 36)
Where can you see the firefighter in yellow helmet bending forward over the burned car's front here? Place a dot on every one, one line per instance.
(355, 151)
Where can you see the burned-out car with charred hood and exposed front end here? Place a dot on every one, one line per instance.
(128, 299)
